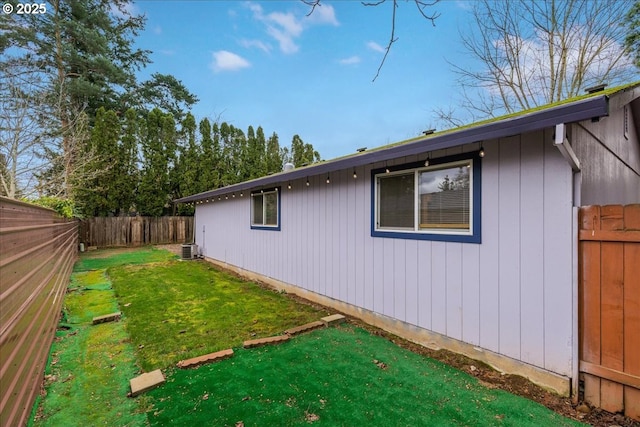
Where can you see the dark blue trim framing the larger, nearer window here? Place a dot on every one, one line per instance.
(476, 237)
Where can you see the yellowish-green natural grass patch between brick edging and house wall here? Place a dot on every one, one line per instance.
(181, 309)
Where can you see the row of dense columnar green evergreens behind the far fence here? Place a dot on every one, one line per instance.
(143, 163)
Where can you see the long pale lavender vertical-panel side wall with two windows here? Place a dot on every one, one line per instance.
(511, 294)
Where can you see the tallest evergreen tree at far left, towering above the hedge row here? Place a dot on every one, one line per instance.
(83, 56)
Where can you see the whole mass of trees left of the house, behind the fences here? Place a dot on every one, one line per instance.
(79, 132)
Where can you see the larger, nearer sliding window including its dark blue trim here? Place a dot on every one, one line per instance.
(436, 202)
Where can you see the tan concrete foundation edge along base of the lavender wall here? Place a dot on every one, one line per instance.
(550, 381)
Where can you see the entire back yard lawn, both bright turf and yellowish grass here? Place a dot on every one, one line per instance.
(174, 310)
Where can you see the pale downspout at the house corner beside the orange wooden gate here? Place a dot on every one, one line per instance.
(562, 143)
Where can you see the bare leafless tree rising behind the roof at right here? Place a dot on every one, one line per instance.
(534, 53)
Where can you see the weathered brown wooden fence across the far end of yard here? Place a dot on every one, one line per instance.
(104, 232)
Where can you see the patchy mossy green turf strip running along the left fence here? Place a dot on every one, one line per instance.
(88, 372)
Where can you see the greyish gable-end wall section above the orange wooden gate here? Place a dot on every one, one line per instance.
(610, 160)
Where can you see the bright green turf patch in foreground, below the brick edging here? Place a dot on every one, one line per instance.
(337, 377)
